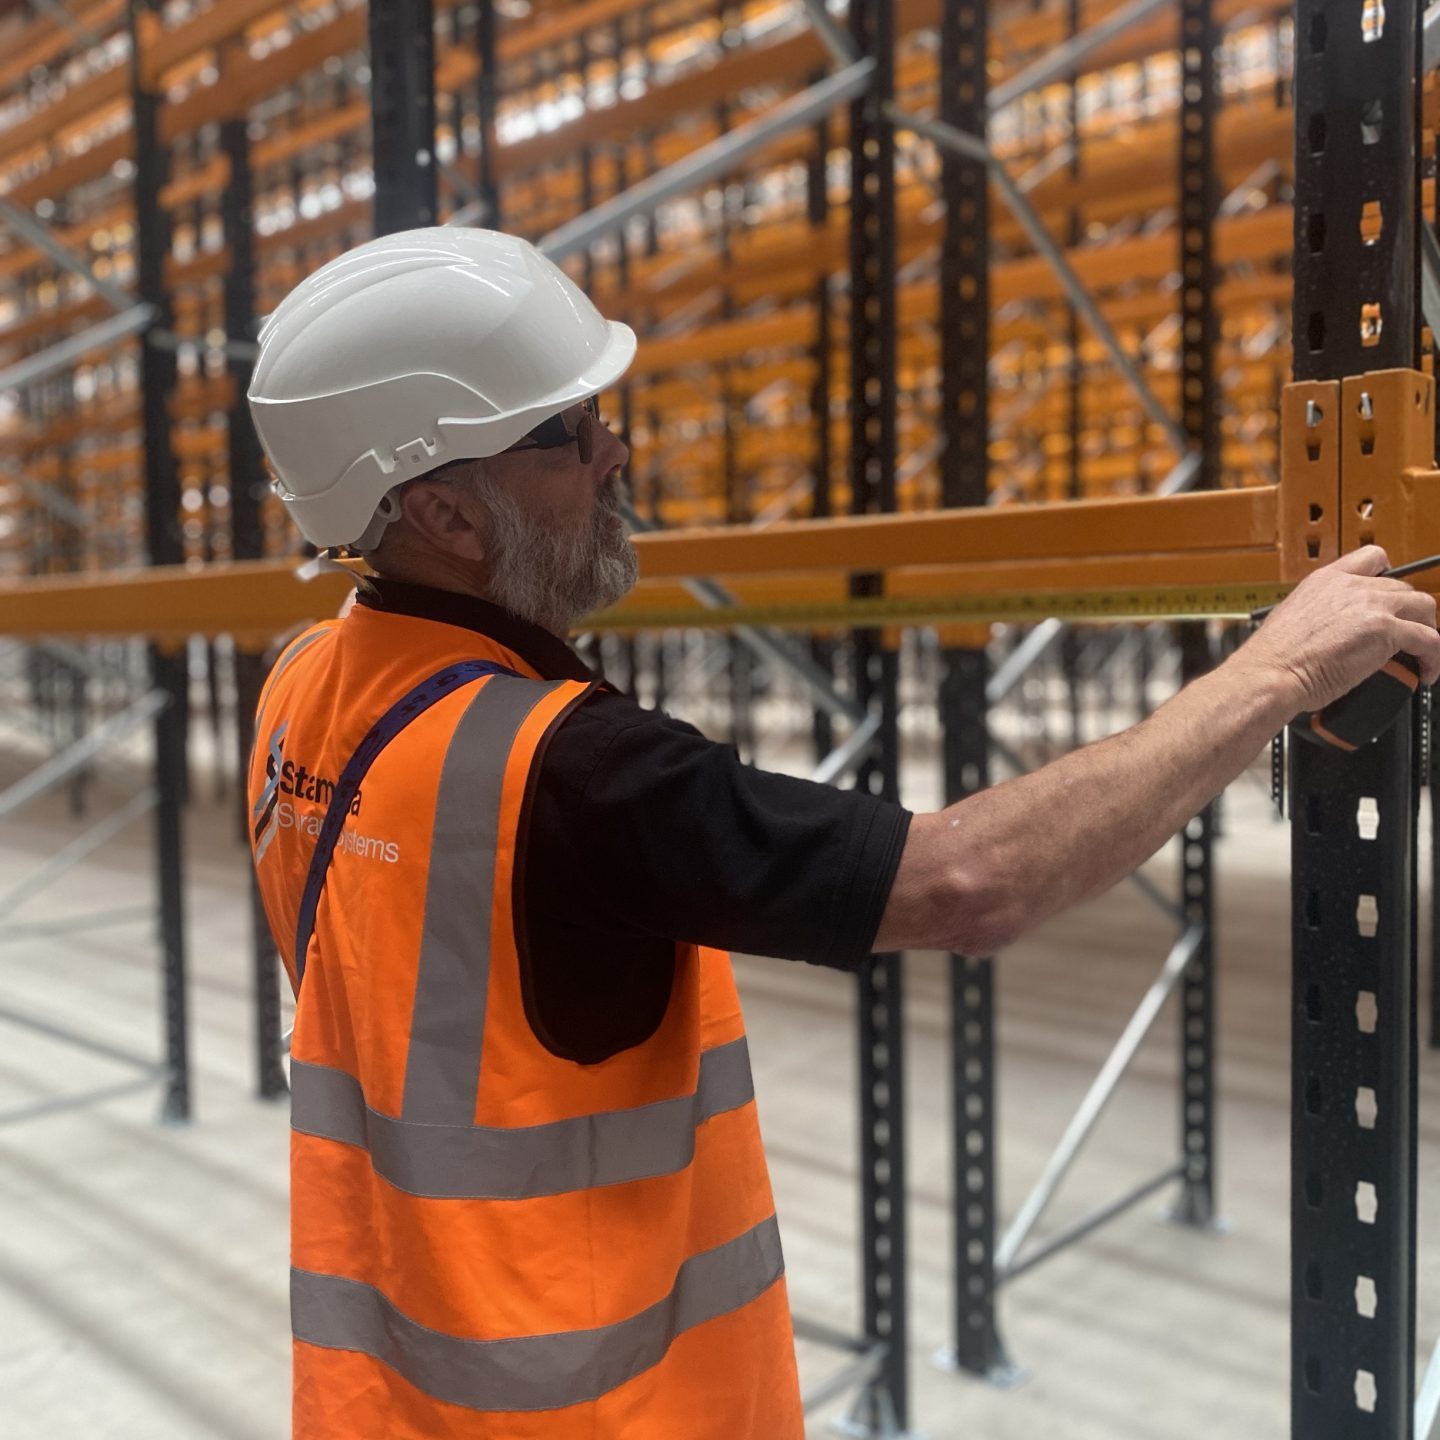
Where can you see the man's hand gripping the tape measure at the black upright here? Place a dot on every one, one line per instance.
(1340, 626)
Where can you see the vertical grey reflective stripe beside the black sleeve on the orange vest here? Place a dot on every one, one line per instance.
(449, 1019)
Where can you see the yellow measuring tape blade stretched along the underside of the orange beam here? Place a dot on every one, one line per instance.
(1179, 604)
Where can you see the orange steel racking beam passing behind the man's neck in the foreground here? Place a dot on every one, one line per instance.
(1112, 542)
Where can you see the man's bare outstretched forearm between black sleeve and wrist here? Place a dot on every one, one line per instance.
(978, 875)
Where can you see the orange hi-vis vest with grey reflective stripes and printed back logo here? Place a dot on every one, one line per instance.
(490, 1241)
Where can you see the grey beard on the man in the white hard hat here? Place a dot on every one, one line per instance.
(546, 575)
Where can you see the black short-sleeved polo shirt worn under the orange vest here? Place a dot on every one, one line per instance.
(642, 833)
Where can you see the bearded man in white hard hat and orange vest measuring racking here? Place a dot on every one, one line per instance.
(529, 1190)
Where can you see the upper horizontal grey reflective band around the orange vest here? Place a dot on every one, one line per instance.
(487, 1163)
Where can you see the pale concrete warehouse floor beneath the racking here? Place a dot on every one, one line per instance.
(143, 1268)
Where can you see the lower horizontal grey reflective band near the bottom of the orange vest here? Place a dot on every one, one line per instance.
(542, 1372)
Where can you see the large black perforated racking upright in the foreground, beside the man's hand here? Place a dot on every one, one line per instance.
(1353, 1206)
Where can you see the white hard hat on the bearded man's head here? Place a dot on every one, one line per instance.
(414, 351)
